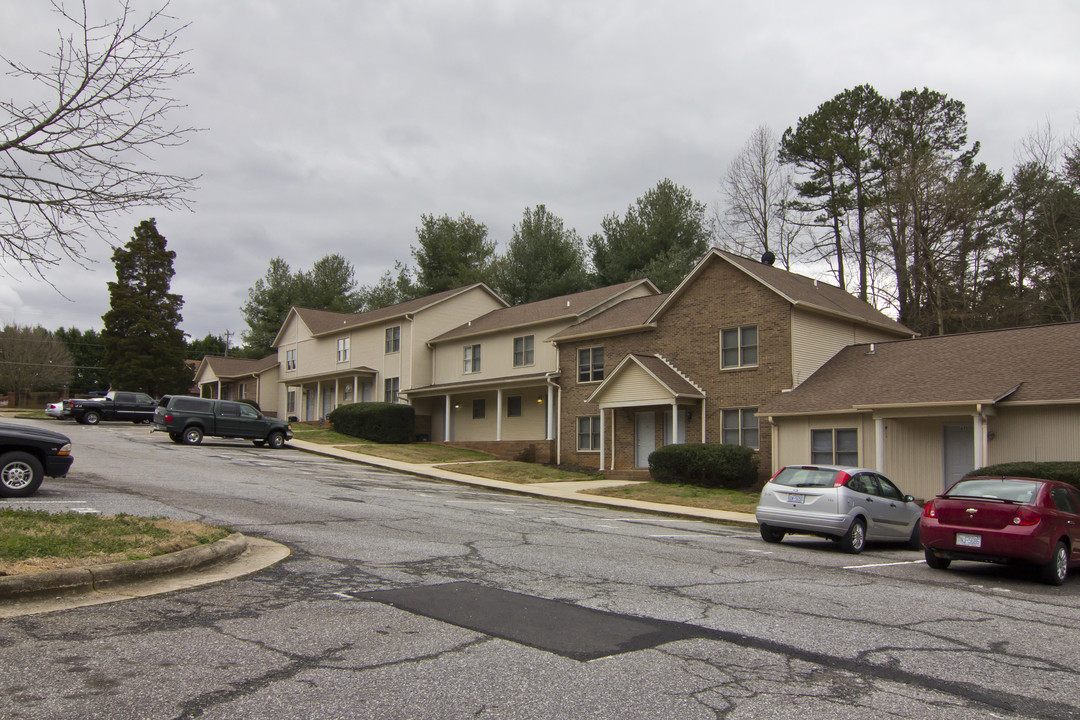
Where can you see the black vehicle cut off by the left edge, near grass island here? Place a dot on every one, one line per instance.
(29, 455)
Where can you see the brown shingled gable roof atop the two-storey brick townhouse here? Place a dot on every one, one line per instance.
(801, 291)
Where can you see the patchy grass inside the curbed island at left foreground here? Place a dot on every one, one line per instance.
(32, 541)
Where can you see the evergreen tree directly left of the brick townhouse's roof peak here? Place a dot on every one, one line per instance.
(661, 238)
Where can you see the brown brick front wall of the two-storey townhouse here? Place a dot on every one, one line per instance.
(688, 337)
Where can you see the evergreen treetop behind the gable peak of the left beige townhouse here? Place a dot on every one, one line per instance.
(452, 253)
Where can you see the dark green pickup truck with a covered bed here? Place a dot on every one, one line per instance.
(188, 419)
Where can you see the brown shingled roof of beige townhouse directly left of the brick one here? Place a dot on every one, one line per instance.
(564, 307)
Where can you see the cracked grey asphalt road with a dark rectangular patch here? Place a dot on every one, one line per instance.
(407, 599)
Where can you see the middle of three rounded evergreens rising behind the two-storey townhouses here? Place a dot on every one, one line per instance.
(544, 261)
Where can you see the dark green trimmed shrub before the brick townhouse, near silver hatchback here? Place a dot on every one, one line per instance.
(709, 466)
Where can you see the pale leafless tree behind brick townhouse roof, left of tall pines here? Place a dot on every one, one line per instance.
(755, 215)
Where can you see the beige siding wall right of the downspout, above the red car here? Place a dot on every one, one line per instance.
(1037, 434)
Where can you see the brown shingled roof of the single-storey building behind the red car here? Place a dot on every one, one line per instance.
(1035, 365)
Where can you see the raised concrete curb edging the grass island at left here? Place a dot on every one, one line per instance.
(84, 580)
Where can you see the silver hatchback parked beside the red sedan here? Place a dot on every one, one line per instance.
(852, 506)
